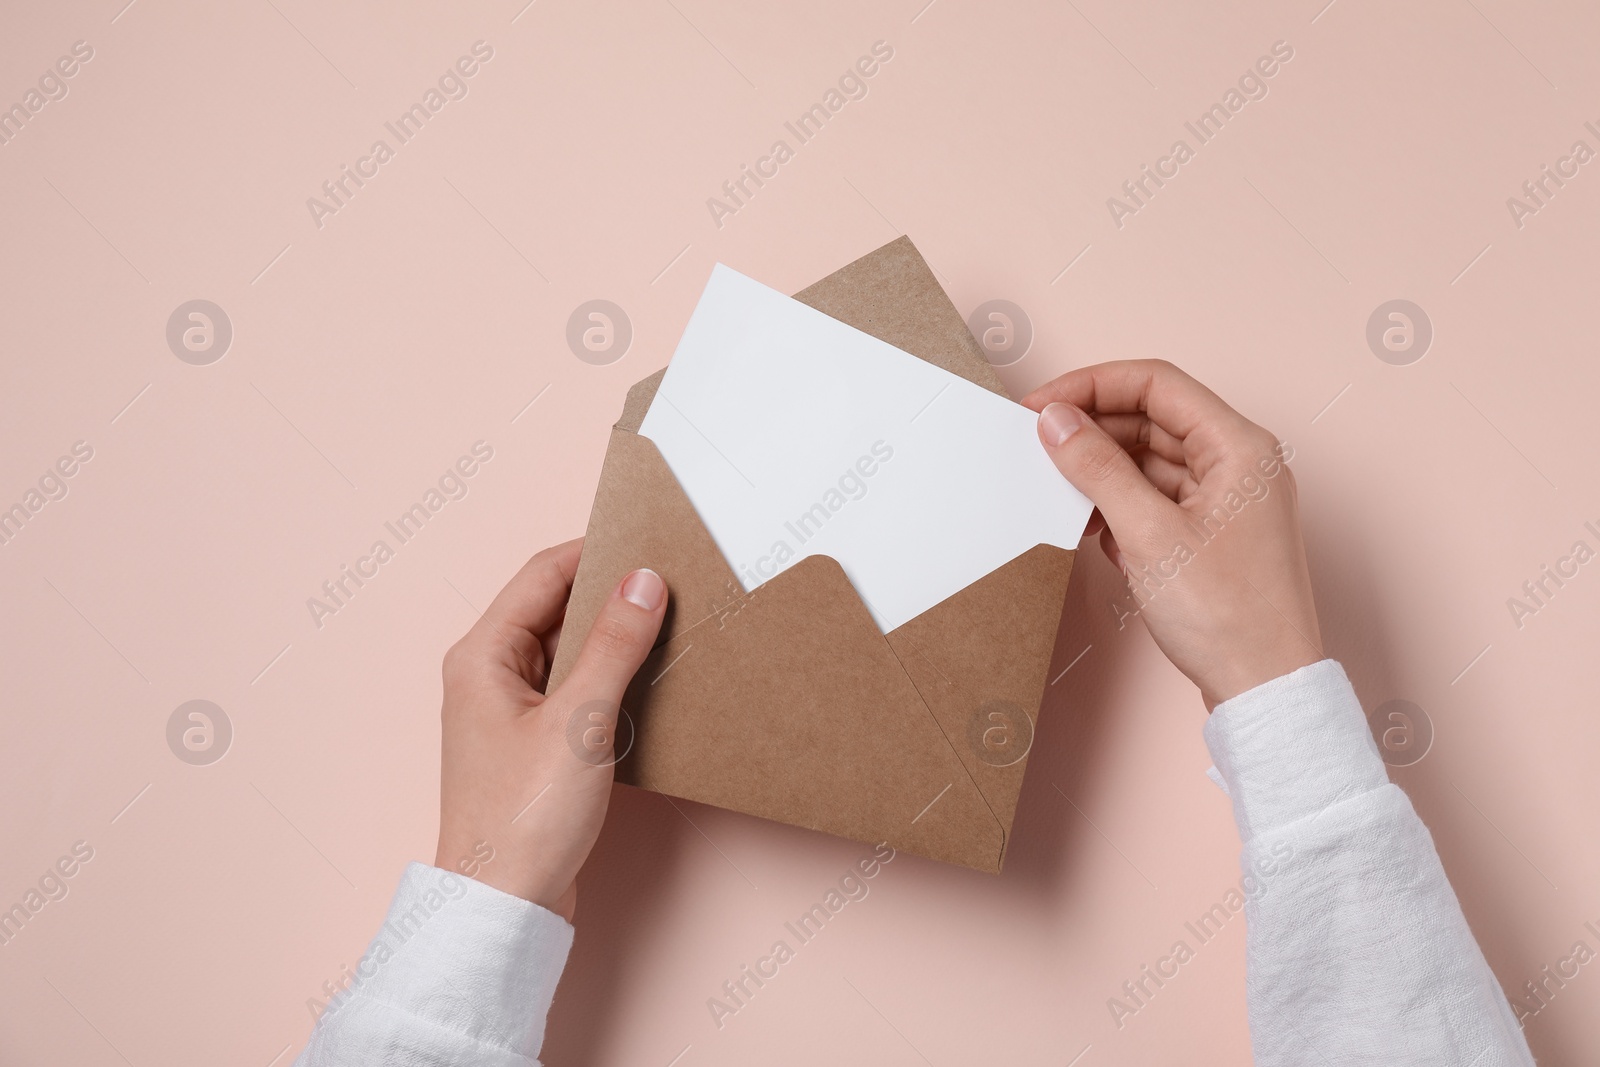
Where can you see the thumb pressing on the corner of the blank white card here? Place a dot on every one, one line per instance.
(1102, 471)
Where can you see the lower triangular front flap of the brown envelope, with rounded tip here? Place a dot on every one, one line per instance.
(794, 708)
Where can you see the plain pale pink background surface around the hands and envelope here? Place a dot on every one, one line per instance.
(431, 310)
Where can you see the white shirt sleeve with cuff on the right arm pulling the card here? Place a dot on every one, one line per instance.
(1358, 951)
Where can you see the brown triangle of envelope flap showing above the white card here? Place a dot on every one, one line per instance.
(892, 295)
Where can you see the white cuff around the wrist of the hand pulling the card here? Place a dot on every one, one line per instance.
(1294, 748)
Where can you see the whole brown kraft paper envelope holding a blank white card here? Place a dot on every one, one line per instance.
(788, 703)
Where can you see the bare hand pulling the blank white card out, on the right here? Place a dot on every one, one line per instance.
(1199, 514)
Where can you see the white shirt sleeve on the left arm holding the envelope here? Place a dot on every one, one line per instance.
(460, 973)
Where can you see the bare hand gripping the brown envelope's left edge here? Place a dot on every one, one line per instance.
(527, 775)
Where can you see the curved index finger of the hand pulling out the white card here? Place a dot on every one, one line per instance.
(1170, 398)
